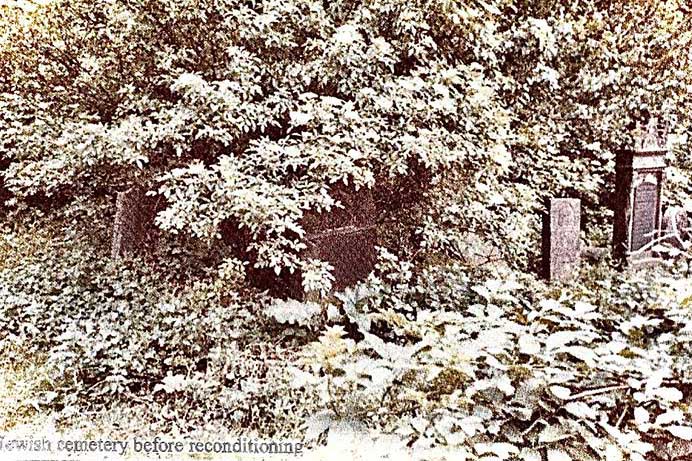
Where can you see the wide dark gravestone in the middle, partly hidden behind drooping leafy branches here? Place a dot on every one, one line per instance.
(343, 237)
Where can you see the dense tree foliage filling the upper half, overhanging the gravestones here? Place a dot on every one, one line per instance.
(249, 111)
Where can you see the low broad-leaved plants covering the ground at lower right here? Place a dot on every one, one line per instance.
(510, 367)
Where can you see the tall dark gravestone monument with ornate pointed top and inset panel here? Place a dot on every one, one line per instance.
(638, 184)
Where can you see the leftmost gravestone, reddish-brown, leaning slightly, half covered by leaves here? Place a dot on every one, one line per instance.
(133, 227)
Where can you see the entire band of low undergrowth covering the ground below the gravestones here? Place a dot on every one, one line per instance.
(497, 365)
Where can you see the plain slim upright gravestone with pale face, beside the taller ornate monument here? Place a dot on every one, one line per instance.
(561, 245)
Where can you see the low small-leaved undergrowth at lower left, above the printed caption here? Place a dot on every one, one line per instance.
(112, 333)
